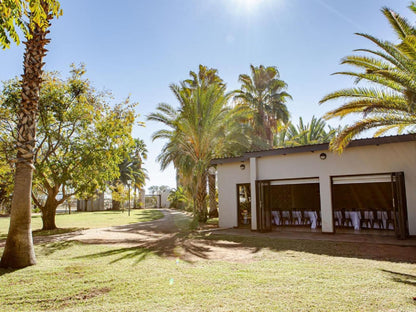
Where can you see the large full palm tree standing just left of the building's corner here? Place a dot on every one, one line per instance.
(202, 128)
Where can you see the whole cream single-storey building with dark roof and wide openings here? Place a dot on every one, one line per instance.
(370, 187)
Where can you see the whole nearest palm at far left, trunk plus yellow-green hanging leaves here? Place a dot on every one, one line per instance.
(33, 18)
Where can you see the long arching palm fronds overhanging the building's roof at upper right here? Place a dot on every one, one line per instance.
(389, 101)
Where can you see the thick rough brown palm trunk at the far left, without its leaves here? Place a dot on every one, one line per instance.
(19, 252)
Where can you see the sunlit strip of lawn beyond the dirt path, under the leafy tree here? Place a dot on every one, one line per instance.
(81, 220)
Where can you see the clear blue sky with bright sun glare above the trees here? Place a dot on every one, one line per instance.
(139, 47)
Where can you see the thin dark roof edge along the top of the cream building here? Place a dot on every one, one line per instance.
(315, 147)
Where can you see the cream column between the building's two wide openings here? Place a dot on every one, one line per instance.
(326, 204)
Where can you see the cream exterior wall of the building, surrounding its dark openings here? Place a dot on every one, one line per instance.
(384, 158)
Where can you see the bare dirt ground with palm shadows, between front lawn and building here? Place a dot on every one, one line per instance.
(171, 237)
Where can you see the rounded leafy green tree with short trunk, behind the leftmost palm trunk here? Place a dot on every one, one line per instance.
(81, 140)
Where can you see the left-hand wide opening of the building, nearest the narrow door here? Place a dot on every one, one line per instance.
(294, 203)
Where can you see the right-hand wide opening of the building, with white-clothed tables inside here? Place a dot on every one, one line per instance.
(370, 203)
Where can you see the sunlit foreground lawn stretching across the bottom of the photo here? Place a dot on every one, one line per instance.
(283, 276)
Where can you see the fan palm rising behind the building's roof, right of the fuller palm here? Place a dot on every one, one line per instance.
(264, 93)
